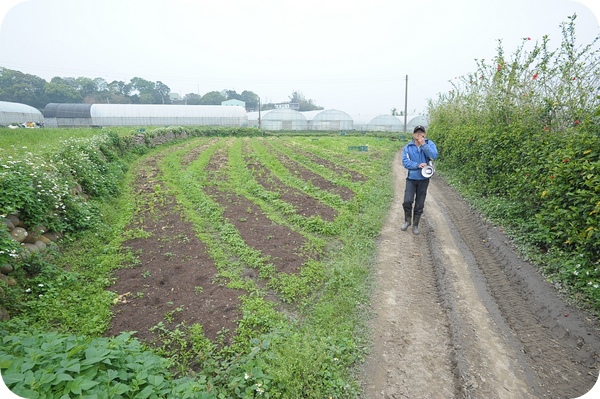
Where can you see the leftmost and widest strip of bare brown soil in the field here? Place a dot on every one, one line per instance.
(175, 279)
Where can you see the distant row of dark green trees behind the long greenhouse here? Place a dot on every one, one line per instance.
(19, 87)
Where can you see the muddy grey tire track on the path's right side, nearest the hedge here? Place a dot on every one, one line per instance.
(559, 351)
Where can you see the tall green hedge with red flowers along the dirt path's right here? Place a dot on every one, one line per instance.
(522, 138)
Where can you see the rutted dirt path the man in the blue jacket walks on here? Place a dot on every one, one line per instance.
(459, 315)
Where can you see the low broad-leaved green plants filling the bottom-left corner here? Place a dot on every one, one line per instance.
(51, 365)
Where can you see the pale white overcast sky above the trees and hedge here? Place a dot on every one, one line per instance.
(347, 55)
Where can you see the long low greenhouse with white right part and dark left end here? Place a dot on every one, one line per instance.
(71, 115)
